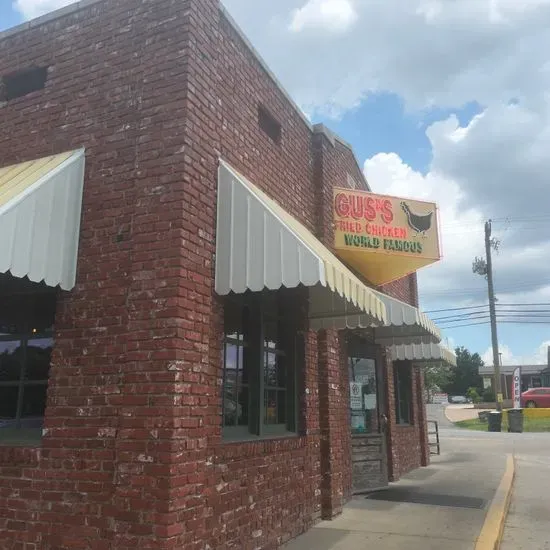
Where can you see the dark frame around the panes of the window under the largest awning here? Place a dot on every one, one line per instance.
(257, 352)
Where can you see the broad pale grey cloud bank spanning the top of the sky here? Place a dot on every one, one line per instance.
(430, 52)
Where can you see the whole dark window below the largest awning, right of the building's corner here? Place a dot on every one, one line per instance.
(259, 376)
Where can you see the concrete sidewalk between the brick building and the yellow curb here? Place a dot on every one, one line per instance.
(460, 486)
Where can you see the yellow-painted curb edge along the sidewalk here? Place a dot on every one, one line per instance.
(491, 533)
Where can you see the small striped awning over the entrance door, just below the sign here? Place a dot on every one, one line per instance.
(405, 324)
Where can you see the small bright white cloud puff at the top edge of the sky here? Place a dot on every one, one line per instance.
(331, 15)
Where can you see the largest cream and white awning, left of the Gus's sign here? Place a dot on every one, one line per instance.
(260, 246)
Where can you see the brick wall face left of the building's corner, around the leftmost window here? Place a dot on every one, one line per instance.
(120, 434)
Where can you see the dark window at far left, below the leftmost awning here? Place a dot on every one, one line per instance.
(26, 342)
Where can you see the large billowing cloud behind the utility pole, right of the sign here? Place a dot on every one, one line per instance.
(495, 167)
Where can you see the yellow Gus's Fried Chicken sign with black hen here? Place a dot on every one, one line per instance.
(383, 237)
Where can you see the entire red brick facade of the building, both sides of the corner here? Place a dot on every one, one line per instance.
(132, 454)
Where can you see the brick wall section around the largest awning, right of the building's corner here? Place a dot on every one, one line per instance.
(262, 493)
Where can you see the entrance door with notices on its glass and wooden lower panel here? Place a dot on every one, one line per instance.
(368, 416)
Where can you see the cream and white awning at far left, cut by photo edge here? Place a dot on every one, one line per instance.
(40, 208)
